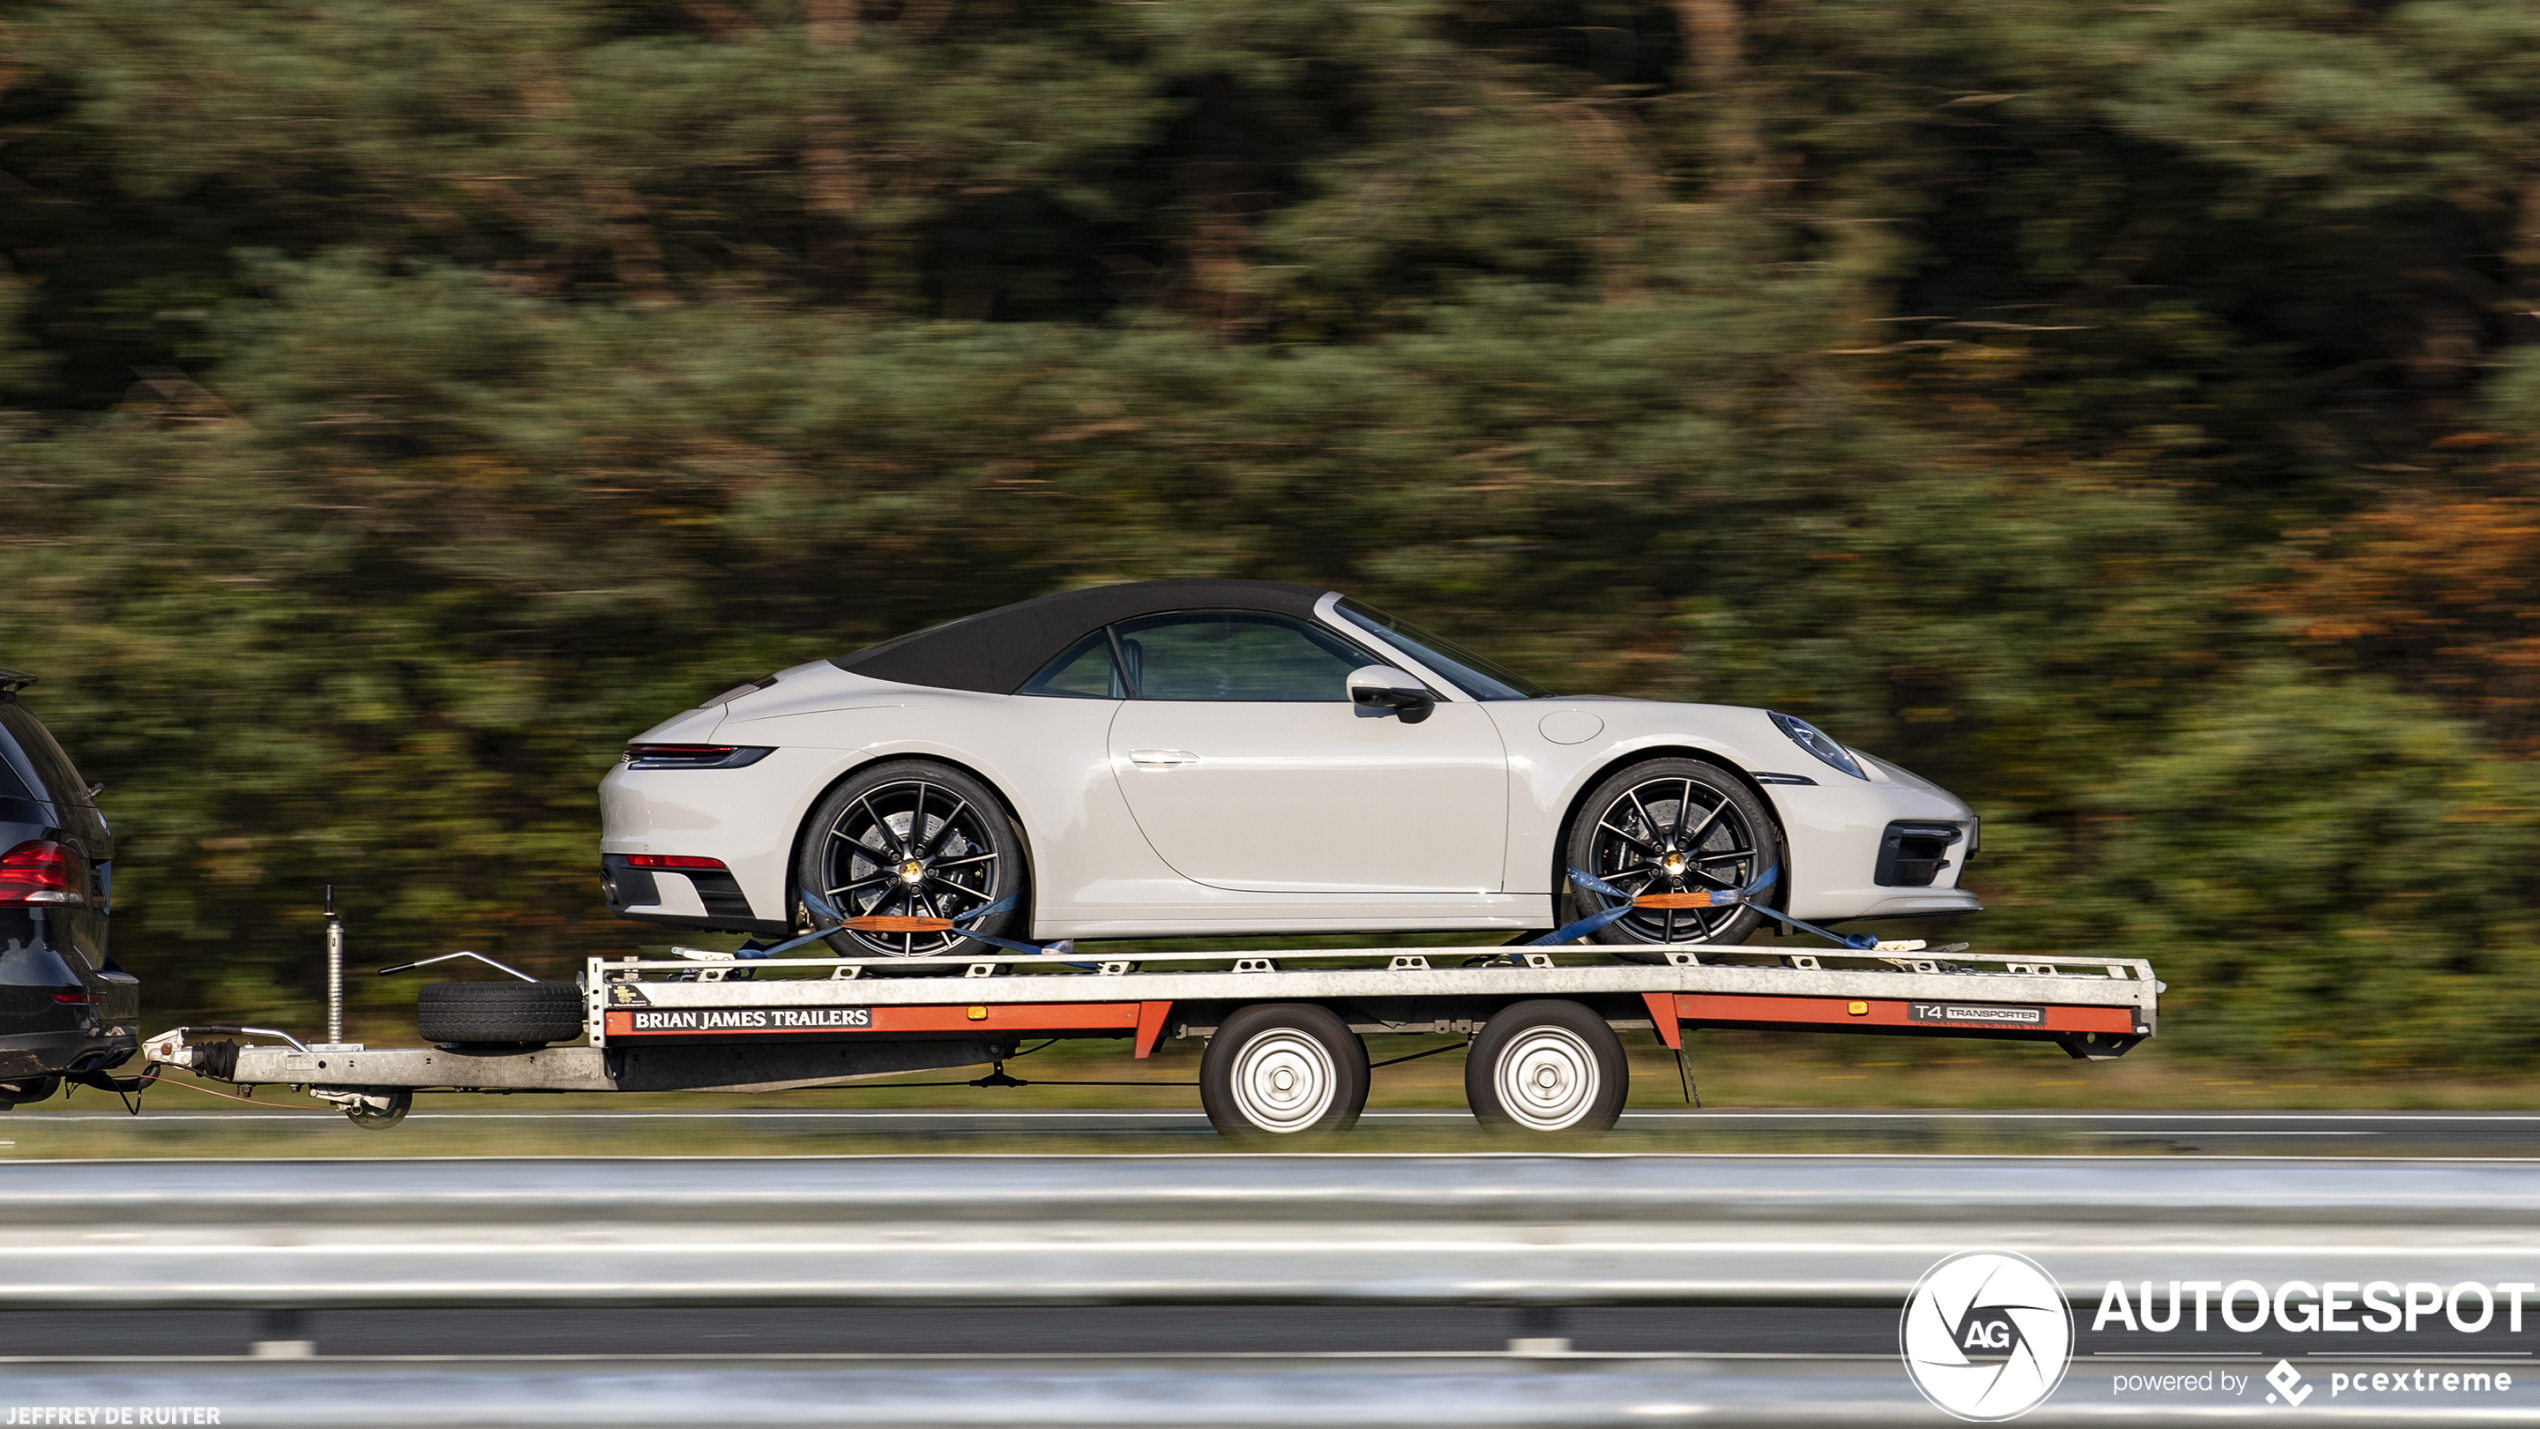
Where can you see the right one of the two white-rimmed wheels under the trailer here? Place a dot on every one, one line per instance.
(1548, 1070)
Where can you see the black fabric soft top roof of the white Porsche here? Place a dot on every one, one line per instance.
(1002, 649)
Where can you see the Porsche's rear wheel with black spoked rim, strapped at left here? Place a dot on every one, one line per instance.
(913, 839)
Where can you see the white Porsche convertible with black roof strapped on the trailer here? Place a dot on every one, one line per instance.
(1243, 758)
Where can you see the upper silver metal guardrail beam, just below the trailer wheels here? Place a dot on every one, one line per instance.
(1452, 1230)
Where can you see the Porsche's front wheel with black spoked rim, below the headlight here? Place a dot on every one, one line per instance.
(1670, 826)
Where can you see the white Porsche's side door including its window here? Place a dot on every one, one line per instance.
(1248, 768)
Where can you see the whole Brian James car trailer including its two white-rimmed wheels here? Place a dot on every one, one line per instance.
(1284, 1044)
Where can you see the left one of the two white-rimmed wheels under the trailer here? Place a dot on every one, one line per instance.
(1284, 1075)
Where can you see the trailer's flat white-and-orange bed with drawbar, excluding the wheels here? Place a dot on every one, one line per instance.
(718, 1024)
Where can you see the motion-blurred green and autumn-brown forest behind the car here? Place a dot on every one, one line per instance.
(2125, 415)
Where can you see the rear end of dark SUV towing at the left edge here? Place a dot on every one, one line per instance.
(65, 1006)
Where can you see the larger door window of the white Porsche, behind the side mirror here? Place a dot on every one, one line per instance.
(1236, 656)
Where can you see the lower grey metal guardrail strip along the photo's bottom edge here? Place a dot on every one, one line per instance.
(1195, 1392)
